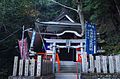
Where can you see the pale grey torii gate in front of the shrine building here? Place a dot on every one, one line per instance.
(54, 43)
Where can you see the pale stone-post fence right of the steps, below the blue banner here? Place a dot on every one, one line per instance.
(100, 66)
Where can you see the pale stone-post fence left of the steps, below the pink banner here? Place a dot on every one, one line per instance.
(31, 68)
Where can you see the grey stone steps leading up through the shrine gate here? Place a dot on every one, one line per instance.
(67, 70)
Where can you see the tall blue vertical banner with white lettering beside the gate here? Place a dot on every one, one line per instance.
(90, 38)
